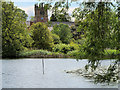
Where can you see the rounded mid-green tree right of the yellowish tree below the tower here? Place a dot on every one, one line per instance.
(63, 31)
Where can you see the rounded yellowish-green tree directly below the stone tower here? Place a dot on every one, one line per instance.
(42, 36)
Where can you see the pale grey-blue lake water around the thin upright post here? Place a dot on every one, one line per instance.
(27, 73)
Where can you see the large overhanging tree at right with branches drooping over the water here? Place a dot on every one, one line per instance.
(99, 22)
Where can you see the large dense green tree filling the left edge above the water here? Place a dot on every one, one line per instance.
(14, 32)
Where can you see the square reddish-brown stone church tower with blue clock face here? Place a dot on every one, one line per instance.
(41, 14)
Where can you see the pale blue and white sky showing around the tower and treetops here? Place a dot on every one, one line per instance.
(28, 7)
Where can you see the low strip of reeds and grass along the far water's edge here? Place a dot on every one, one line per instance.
(109, 53)
